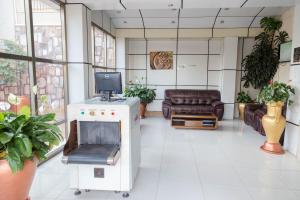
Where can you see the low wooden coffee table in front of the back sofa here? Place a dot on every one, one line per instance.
(207, 121)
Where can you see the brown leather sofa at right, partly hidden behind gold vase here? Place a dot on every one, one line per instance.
(254, 114)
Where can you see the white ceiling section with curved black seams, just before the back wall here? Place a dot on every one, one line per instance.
(193, 18)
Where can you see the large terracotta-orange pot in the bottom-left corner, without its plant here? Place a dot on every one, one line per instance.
(16, 186)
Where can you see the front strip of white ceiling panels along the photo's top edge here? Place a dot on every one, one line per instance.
(165, 4)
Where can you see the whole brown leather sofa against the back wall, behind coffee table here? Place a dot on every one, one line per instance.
(192, 102)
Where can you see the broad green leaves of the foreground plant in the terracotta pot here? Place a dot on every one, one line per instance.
(23, 137)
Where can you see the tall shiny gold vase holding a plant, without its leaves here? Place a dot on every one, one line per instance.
(274, 124)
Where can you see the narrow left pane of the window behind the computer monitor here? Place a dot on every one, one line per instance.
(99, 47)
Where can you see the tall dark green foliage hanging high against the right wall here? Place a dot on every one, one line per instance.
(261, 65)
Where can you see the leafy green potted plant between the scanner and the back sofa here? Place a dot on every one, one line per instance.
(145, 95)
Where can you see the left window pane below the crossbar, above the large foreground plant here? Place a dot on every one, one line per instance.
(14, 79)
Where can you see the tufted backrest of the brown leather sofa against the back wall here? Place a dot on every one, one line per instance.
(185, 96)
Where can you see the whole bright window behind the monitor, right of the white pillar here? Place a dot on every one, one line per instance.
(103, 49)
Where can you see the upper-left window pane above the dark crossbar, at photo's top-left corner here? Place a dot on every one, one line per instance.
(13, 37)
